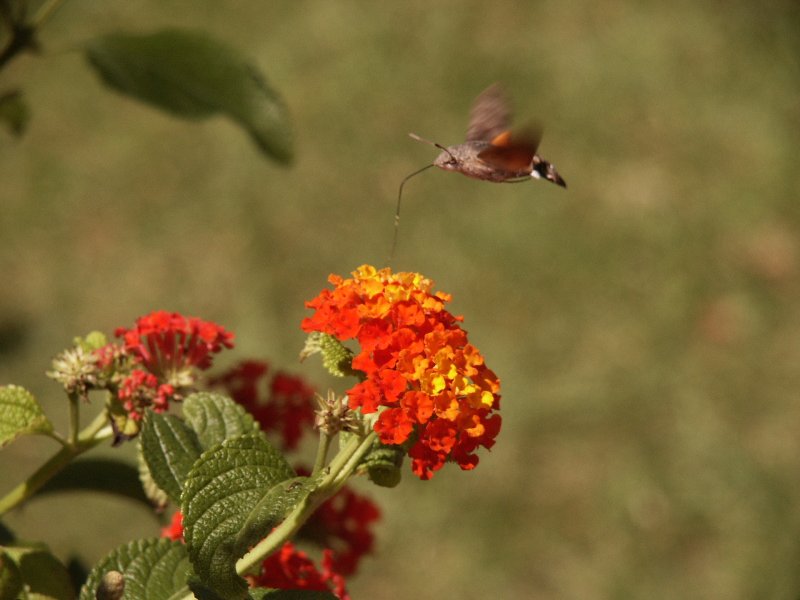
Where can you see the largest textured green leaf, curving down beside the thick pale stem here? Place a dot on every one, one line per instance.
(223, 489)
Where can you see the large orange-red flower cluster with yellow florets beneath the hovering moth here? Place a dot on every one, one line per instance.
(432, 385)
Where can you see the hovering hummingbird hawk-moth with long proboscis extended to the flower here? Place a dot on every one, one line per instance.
(491, 151)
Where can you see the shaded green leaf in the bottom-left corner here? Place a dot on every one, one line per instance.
(41, 573)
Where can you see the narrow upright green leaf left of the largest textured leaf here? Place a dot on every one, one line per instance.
(170, 448)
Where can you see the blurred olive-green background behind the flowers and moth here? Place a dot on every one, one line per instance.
(645, 323)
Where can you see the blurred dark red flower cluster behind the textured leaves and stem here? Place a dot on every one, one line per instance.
(285, 407)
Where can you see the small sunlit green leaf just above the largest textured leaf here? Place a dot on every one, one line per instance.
(215, 418)
